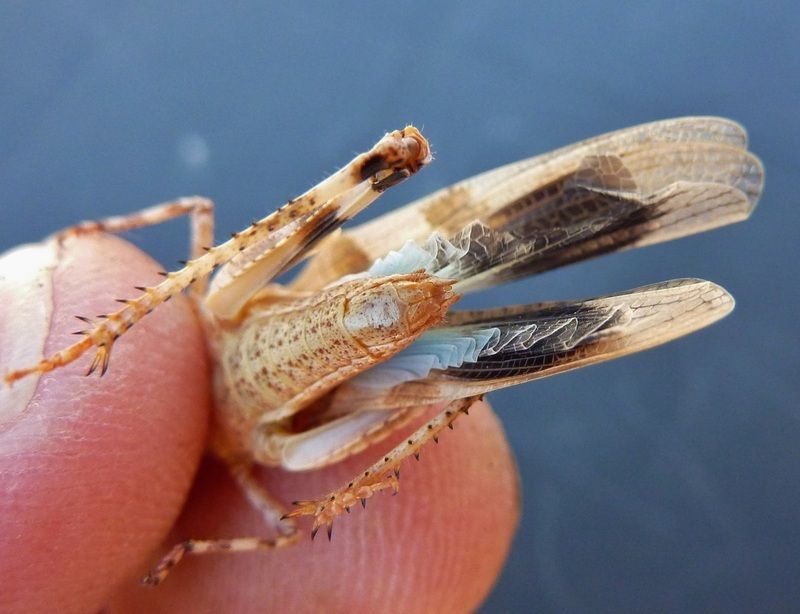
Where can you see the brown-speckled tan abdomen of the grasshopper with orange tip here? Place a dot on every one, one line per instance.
(289, 350)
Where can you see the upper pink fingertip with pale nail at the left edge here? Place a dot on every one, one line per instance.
(93, 471)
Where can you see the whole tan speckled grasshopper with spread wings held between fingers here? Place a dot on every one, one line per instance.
(364, 338)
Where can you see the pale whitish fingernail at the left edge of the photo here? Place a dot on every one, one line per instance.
(26, 310)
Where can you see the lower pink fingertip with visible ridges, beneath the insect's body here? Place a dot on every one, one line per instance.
(438, 546)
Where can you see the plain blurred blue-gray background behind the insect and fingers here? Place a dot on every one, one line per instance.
(666, 481)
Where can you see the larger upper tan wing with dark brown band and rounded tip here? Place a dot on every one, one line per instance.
(630, 188)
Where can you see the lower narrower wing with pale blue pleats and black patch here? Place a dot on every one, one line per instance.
(479, 351)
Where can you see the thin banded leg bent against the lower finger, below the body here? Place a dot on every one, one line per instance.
(271, 510)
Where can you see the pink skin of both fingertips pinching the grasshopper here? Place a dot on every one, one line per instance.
(95, 475)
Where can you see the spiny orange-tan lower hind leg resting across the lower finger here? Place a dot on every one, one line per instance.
(382, 475)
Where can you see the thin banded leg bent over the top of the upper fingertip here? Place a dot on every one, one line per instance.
(201, 233)
